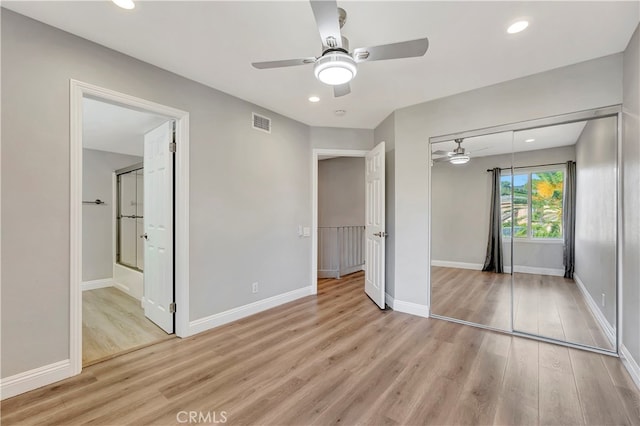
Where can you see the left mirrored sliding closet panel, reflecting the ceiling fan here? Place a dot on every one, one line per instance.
(461, 200)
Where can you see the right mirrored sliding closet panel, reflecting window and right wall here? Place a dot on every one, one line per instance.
(563, 220)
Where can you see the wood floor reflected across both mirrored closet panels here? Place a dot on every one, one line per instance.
(543, 305)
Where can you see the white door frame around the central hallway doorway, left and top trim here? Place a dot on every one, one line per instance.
(315, 156)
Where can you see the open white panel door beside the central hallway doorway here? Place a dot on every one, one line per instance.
(375, 226)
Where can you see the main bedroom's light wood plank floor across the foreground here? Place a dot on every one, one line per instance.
(336, 358)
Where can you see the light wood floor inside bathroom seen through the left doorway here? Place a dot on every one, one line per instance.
(112, 323)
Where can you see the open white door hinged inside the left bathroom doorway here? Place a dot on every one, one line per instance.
(158, 226)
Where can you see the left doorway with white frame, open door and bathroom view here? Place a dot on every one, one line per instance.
(129, 223)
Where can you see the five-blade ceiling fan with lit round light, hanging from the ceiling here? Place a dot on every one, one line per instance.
(336, 66)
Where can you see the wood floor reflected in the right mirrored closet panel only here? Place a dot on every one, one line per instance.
(554, 307)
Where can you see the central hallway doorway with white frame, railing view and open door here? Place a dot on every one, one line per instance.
(343, 242)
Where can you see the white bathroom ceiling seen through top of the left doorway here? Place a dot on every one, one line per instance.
(113, 128)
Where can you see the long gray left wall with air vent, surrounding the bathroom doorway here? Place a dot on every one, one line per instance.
(249, 190)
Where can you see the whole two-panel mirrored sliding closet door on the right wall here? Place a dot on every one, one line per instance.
(524, 228)
